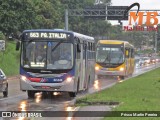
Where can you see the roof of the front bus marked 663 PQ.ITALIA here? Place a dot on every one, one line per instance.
(75, 34)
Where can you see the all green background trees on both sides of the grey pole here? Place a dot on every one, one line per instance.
(18, 15)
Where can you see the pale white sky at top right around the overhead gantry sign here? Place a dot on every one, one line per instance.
(144, 4)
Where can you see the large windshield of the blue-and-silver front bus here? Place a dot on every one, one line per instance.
(47, 55)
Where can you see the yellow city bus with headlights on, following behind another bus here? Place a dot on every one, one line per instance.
(114, 58)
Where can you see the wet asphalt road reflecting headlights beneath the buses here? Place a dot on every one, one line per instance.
(18, 100)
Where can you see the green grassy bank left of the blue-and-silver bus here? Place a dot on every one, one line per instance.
(9, 59)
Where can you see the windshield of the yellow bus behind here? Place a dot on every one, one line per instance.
(110, 54)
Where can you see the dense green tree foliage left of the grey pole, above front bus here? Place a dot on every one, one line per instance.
(18, 15)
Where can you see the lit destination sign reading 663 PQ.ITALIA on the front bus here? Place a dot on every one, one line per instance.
(47, 35)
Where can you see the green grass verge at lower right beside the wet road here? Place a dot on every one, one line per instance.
(136, 94)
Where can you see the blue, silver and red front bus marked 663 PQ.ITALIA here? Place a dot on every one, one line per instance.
(55, 61)
